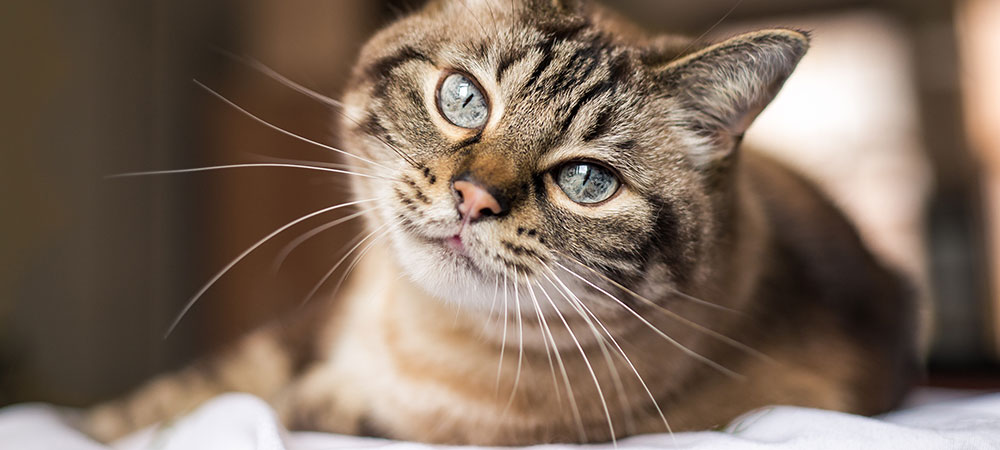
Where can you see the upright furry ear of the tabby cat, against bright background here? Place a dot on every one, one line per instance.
(723, 87)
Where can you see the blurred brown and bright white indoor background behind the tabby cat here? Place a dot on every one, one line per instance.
(895, 111)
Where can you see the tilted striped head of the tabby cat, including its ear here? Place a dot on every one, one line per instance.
(519, 139)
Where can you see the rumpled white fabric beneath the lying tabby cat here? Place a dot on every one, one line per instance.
(243, 422)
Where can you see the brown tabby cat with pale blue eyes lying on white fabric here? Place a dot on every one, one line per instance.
(568, 244)
